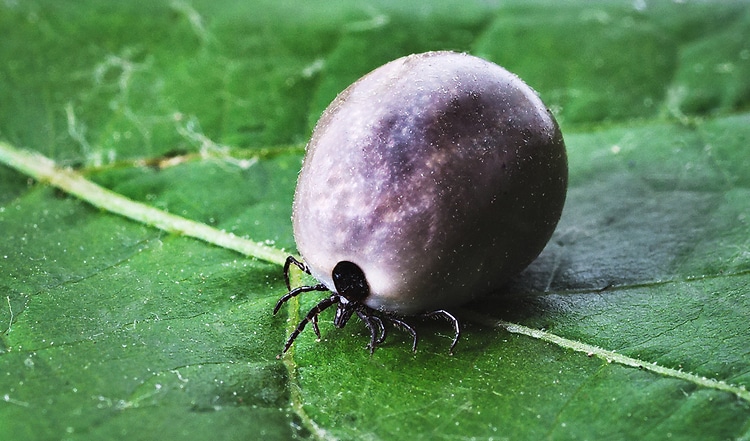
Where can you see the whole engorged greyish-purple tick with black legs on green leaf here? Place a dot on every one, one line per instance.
(427, 183)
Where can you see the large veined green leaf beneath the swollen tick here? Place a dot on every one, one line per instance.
(139, 270)
